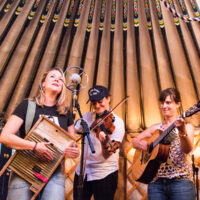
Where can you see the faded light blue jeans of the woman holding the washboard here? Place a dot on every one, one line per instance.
(18, 188)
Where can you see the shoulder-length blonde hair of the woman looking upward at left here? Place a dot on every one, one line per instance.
(61, 103)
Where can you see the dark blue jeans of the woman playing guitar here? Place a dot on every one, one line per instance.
(171, 189)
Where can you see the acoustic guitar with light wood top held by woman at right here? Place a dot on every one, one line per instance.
(146, 163)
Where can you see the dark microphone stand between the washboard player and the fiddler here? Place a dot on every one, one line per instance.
(86, 132)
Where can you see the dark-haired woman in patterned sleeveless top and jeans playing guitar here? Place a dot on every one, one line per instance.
(173, 180)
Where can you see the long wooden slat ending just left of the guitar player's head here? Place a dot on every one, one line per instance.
(148, 74)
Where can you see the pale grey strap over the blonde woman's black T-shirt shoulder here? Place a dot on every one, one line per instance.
(30, 113)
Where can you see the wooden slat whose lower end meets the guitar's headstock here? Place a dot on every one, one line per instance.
(180, 67)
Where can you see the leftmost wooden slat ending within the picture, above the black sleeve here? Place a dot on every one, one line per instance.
(31, 65)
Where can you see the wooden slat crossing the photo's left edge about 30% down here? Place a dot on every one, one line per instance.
(14, 33)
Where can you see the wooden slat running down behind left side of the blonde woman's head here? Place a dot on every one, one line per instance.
(51, 50)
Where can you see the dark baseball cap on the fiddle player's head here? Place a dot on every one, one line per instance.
(97, 93)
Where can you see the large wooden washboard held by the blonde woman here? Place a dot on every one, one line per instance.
(29, 166)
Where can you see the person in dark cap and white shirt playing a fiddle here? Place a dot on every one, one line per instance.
(101, 170)
